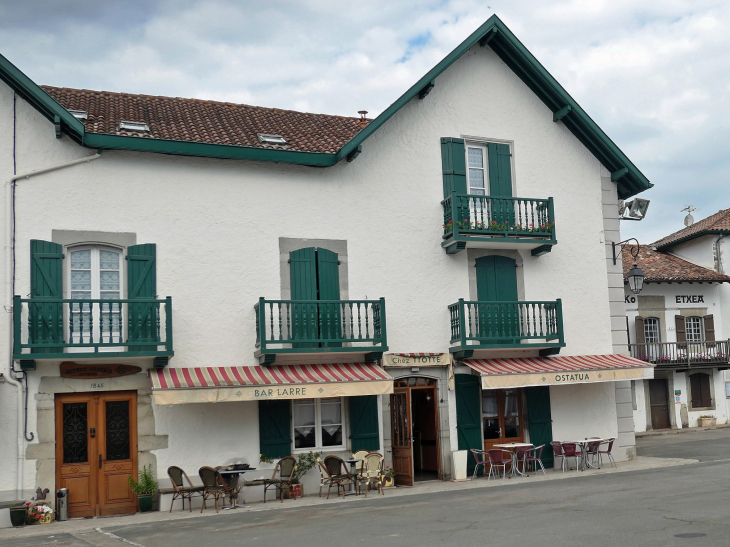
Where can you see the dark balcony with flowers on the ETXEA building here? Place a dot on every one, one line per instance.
(678, 355)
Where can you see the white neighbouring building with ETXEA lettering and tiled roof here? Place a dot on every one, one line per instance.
(677, 323)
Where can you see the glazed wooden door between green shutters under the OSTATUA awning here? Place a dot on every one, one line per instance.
(502, 416)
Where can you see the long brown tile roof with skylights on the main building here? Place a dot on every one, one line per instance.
(195, 120)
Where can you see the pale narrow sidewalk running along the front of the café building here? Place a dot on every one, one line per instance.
(80, 526)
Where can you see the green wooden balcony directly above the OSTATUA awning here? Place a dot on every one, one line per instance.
(506, 325)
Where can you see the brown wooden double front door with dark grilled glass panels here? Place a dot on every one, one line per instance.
(96, 450)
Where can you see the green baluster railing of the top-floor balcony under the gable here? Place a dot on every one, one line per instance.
(498, 217)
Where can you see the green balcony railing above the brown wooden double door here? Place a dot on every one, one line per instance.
(50, 328)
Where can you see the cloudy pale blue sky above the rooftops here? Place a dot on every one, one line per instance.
(654, 75)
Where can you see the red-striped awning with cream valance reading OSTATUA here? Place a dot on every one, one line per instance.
(545, 371)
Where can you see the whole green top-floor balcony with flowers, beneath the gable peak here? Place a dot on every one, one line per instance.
(474, 221)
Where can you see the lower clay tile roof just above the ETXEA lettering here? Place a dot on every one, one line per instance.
(663, 267)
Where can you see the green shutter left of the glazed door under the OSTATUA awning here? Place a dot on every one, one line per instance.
(468, 416)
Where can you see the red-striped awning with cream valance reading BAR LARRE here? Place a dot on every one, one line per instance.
(264, 383)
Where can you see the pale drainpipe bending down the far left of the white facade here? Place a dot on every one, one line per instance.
(9, 289)
